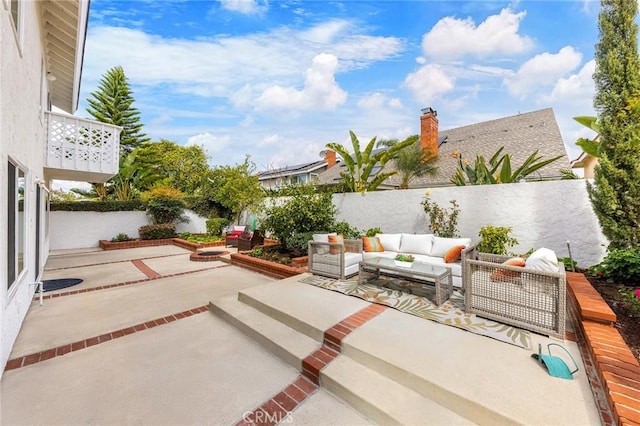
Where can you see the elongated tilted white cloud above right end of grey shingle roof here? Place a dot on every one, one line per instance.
(542, 70)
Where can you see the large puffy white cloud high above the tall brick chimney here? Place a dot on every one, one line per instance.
(453, 38)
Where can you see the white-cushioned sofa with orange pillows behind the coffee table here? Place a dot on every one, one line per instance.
(425, 248)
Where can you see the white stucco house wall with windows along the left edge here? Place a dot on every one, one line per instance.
(21, 140)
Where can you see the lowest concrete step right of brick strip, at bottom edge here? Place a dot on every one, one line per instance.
(381, 399)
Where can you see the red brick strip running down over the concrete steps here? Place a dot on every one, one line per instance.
(278, 408)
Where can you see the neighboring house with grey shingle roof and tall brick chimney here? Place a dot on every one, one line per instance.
(520, 135)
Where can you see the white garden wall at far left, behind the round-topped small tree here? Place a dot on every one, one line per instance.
(72, 230)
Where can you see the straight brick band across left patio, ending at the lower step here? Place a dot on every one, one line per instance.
(26, 360)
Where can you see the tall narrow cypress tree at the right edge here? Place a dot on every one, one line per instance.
(615, 193)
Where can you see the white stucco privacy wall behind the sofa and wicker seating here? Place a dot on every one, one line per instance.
(542, 214)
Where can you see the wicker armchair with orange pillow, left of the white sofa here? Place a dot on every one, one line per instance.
(335, 260)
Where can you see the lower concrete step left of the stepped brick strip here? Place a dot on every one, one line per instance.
(283, 341)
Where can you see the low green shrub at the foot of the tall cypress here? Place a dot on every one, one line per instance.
(619, 266)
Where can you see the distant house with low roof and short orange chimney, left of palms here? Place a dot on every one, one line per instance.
(301, 173)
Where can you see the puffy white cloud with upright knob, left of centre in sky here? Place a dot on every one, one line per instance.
(321, 91)
